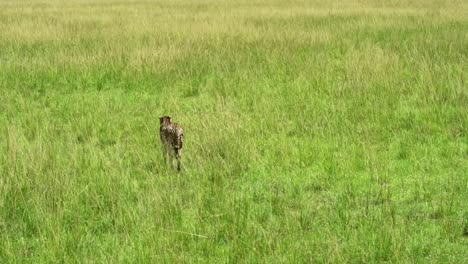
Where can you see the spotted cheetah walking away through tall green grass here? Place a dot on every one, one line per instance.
(172, 138)
